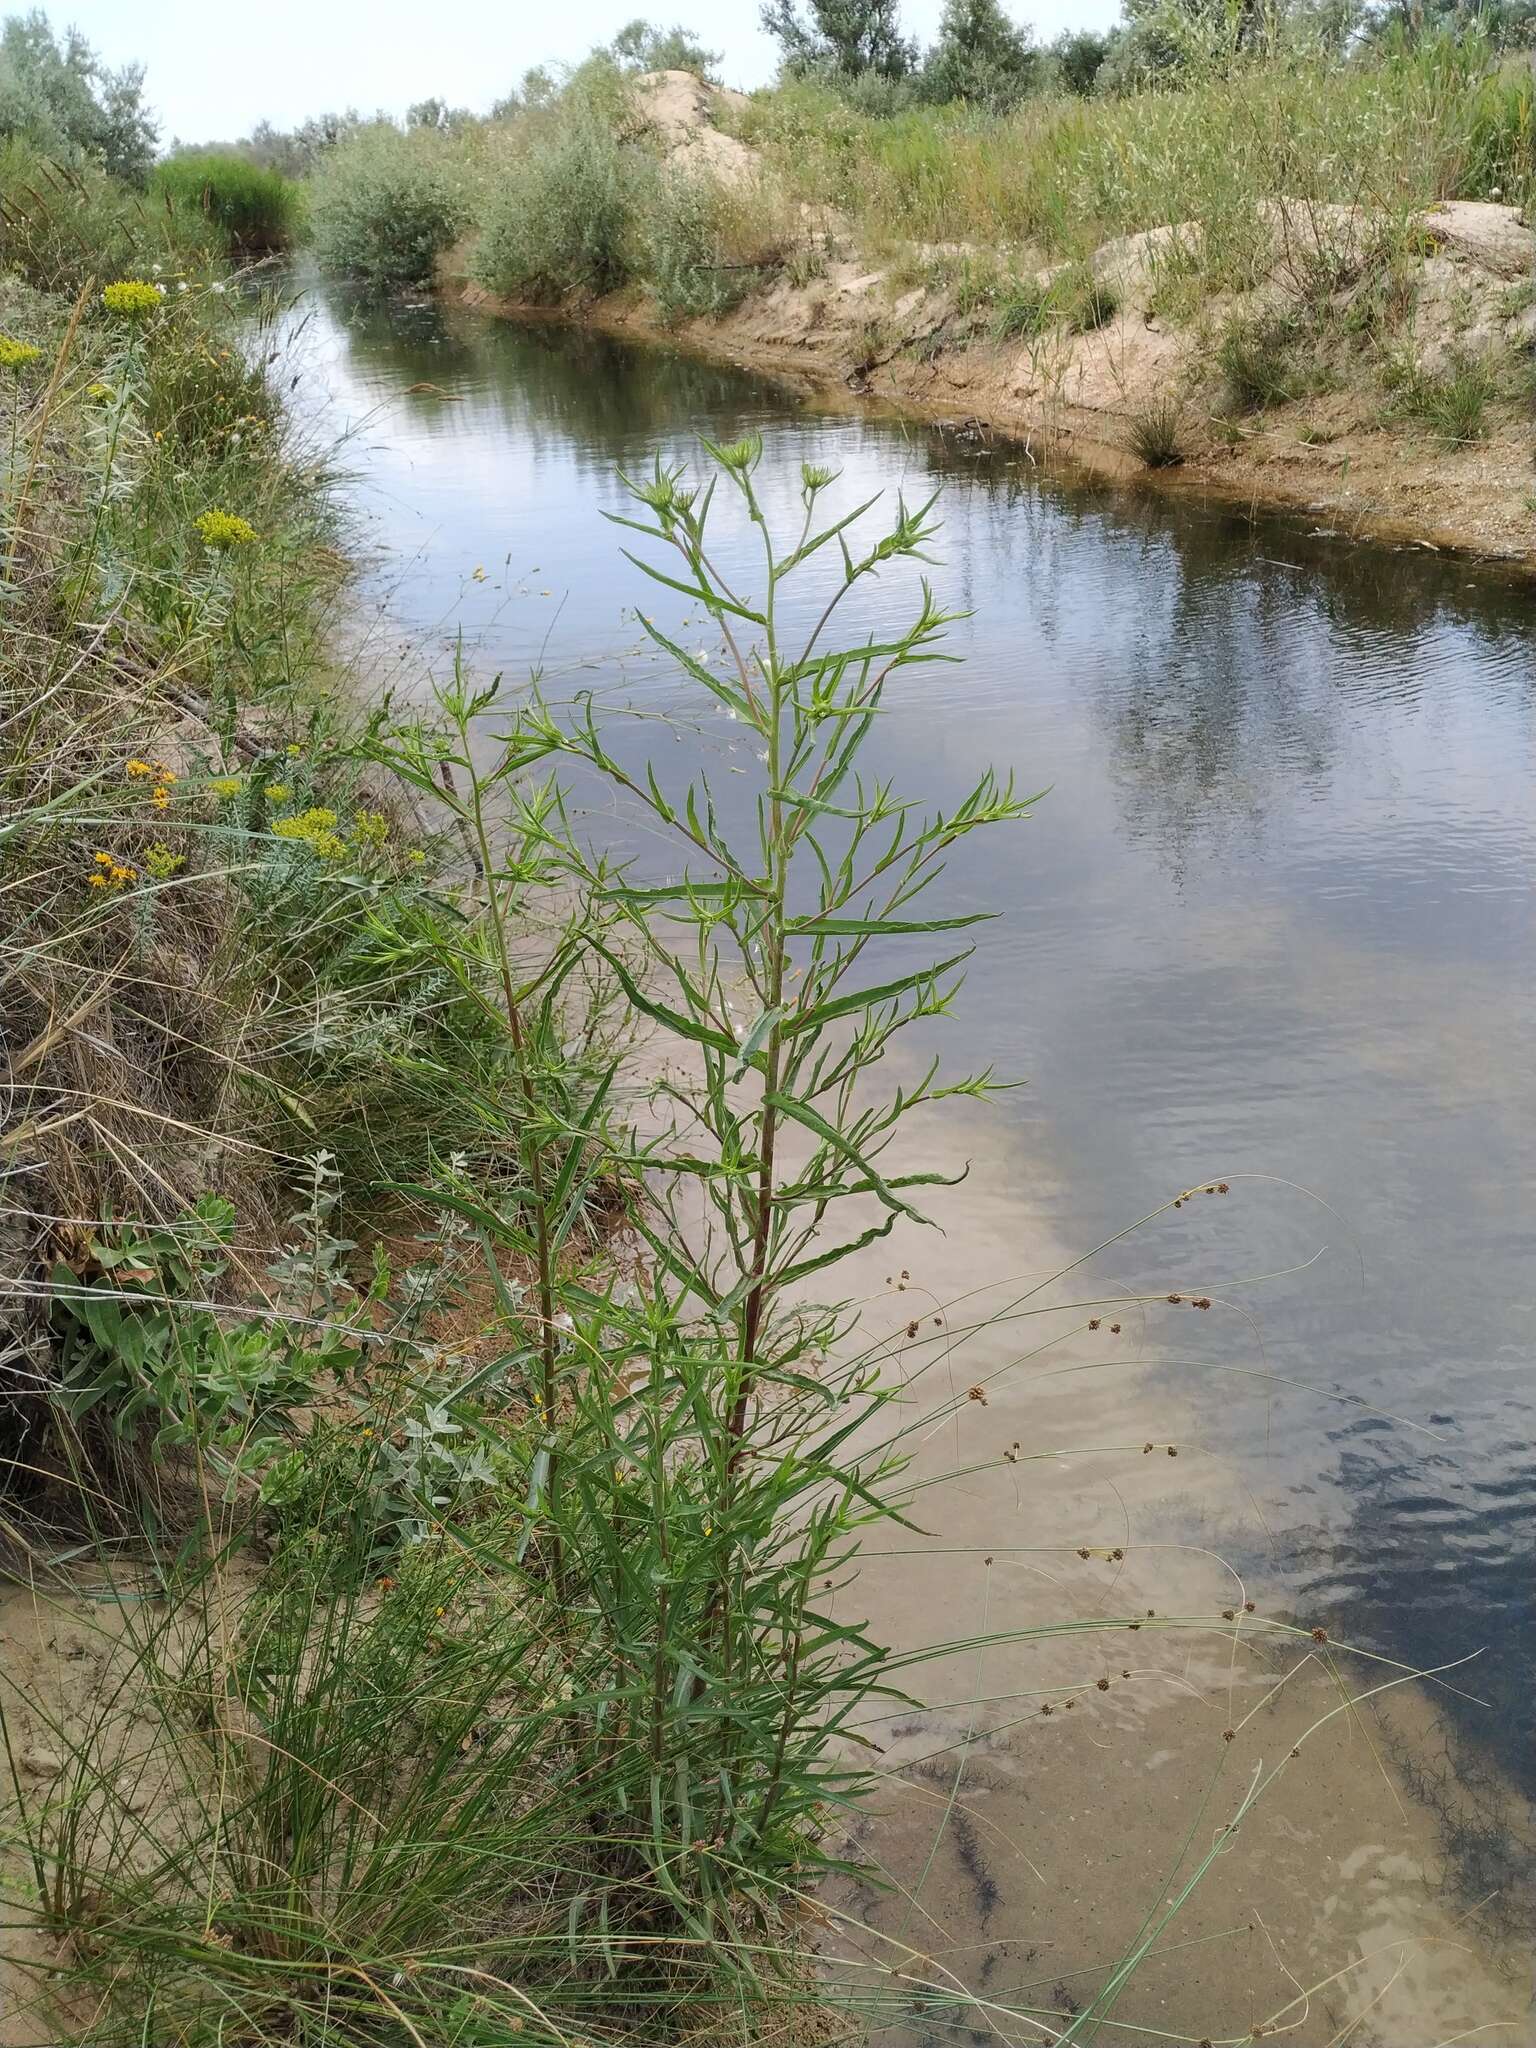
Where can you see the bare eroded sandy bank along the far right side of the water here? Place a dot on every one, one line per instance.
(1342, 450)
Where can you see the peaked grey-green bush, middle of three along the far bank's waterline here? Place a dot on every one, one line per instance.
(566, 220)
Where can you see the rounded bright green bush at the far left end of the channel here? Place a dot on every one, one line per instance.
(386, 204)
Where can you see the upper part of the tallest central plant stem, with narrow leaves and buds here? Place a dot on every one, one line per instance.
(785, 923)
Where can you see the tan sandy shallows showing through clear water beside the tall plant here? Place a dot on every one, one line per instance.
(1043, 1834)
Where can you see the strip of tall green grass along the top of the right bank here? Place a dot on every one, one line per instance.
(1068, 173)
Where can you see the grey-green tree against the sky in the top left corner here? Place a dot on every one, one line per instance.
(65, 101)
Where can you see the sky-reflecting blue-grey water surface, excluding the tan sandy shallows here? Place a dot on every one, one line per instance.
(1275, 916)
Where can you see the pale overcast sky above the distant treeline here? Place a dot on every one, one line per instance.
(212, 71)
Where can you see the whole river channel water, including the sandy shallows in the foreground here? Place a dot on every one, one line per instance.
(1273, 923)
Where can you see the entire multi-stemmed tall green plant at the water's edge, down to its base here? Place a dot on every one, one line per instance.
(706, 1455)
